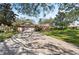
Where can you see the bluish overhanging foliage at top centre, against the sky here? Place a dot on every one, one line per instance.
(34, 9)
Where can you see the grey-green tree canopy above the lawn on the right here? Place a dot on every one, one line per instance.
(67, 13)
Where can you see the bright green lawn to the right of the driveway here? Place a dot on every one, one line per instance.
(68, 35)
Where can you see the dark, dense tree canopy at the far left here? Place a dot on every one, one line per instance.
(7, 16)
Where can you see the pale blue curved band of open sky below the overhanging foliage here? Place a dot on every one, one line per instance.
(50, 15)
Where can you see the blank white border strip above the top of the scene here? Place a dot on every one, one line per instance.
(39, 1)
